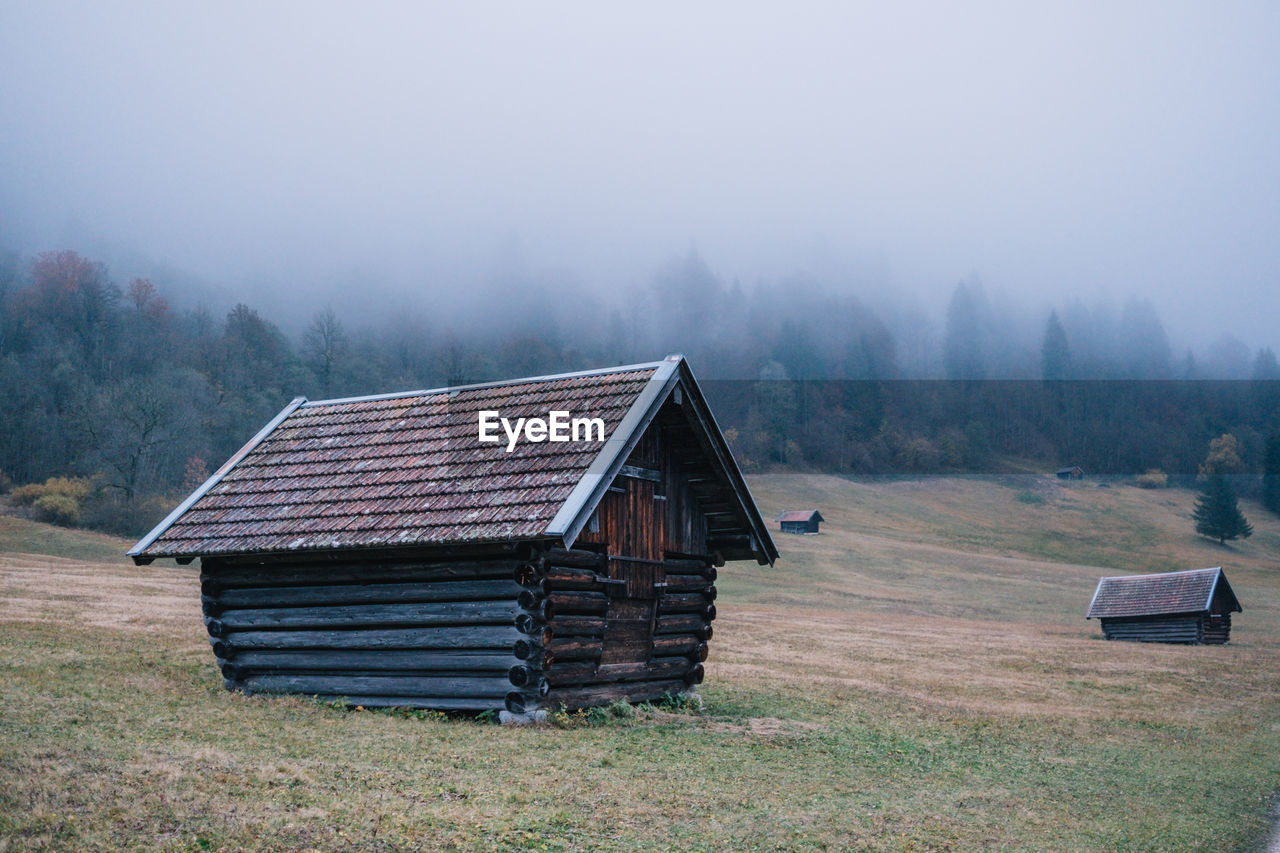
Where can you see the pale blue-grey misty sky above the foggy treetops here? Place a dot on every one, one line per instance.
(1101, 150)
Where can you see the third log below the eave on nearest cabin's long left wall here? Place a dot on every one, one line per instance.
(454, 613)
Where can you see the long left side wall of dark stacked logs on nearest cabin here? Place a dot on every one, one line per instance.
(410, 633)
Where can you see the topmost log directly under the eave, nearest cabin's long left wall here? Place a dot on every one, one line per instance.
(225, 577)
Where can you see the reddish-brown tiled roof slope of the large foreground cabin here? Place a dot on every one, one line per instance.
(401, 471)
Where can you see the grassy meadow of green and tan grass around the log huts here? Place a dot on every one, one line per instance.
(920, 677)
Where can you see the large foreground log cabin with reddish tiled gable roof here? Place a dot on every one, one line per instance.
(373, 550)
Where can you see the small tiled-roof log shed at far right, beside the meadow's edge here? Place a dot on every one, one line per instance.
(1174, 608)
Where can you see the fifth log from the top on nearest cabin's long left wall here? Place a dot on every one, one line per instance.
(372, 660)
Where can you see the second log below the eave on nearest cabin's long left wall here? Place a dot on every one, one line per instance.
(369, 594)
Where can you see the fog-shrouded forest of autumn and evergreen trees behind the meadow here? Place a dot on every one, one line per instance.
(134, 393)
